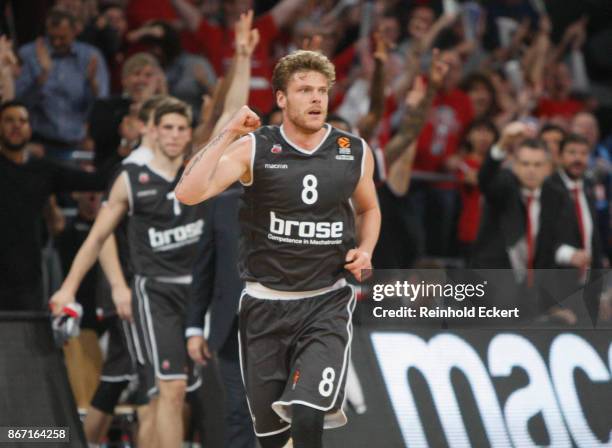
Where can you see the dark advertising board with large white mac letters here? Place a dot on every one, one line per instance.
(481, 388)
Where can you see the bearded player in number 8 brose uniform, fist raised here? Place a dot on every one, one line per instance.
(304, 183)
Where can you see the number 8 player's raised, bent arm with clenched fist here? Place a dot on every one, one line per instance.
(223, 161)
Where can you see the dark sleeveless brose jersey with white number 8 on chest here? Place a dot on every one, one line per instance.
(297, 223)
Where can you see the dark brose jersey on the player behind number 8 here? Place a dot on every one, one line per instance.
(162, 233)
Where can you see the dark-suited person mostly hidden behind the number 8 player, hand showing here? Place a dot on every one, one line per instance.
(217, 286)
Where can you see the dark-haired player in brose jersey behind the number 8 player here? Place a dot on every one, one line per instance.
(163, 236)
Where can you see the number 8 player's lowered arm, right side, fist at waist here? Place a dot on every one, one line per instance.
(367, 210)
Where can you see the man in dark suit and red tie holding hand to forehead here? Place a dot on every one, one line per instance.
(527, 219)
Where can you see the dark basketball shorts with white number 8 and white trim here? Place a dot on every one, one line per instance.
(295, 351)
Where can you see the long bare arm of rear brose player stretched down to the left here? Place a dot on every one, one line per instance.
(105, 223)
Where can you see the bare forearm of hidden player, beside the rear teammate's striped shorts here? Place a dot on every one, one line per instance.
(121, 293)
